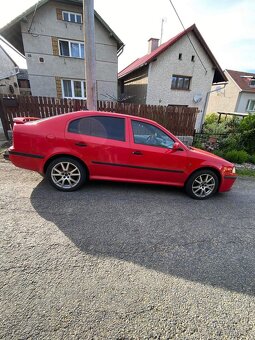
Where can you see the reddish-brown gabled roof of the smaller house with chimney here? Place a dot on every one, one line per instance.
(145, 60)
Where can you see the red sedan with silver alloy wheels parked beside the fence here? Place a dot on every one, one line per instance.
(72, 148)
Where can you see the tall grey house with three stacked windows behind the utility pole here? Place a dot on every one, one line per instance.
(50, 35)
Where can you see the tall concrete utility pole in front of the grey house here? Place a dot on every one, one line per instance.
(90, 53)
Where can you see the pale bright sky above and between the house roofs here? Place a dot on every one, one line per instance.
(228, 26)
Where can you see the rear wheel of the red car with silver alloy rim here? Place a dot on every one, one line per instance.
(66, 174)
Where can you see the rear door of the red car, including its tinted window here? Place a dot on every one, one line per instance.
(102, 143)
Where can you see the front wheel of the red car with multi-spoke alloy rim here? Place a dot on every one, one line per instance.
(202, 184)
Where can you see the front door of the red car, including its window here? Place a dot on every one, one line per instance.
(152, 158)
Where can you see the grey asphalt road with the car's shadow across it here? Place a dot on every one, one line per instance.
(120, 261)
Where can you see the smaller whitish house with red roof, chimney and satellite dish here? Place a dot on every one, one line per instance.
(179, 72)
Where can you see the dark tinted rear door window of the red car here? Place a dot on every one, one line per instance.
(104, 127)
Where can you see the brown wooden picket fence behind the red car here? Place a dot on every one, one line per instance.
(179, 120)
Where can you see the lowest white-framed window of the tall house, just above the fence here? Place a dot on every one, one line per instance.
(73, 88)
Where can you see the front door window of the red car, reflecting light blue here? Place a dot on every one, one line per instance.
(148, 134)
